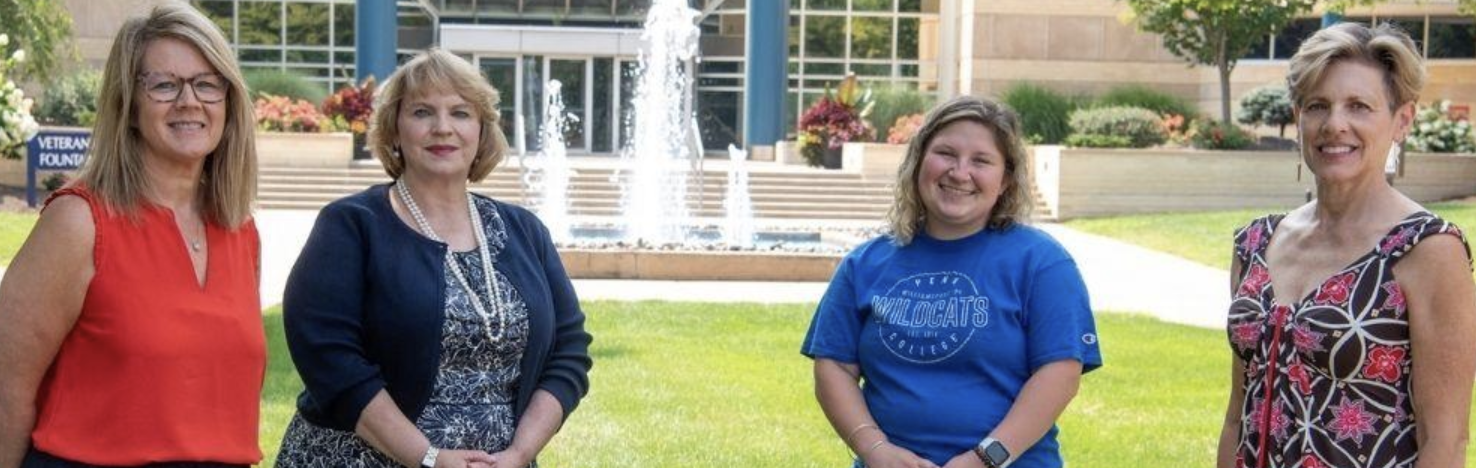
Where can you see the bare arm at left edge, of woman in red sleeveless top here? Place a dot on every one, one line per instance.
(41, 300)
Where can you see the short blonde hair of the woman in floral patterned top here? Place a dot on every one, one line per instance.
(1384, 47)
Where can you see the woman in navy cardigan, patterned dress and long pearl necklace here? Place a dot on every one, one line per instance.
(410, 352)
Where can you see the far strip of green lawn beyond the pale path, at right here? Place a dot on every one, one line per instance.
(1207, 237)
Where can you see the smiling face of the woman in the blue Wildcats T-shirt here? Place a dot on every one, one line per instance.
(960, 181)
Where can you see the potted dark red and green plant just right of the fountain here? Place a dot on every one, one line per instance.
(833, 120)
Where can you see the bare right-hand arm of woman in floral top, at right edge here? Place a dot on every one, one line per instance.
(1443, 339)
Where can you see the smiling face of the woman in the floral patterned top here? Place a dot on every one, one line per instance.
(1347, 125)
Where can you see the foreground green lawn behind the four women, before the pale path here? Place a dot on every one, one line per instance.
(687, 385)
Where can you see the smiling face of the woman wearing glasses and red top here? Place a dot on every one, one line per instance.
(187, 129)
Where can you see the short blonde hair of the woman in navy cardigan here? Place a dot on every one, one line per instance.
(436, 72)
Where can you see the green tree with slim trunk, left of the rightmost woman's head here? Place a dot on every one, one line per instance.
(1215, 32)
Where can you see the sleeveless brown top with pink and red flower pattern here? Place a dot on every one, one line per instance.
(1328, 377)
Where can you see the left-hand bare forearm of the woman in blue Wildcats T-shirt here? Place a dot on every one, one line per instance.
(839, 392)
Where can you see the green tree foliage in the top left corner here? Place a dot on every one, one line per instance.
(44, 29)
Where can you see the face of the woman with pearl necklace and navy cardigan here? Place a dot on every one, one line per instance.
(439, 135)
